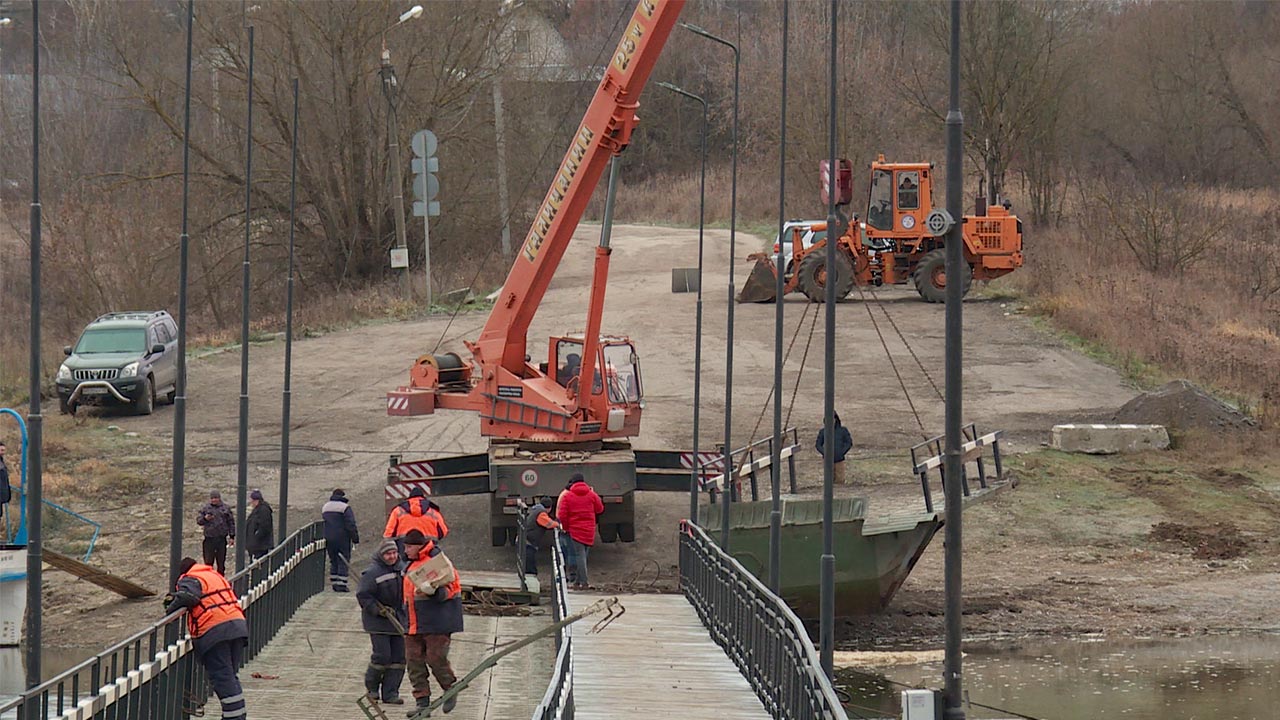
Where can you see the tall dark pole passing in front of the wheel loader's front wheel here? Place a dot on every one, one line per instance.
(828, 600)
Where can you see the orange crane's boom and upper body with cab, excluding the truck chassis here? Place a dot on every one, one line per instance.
(520, 400)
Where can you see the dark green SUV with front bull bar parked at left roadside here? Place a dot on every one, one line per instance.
(122, 359)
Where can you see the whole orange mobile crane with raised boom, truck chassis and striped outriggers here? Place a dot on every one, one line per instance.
(543, 425)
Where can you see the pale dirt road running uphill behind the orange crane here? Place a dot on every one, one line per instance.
(1018, 379)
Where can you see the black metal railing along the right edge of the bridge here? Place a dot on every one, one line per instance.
(757, 630)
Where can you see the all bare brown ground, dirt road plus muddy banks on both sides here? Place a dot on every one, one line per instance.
(1069, 552)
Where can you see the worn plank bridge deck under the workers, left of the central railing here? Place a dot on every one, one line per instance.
(321, 658)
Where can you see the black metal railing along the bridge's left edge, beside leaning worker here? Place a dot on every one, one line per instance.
(154, 675)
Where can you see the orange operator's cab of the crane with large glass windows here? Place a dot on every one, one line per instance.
(616, 398)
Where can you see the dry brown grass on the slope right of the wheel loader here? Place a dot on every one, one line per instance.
(1206, 323)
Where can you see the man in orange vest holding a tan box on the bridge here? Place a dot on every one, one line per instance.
(432, 621)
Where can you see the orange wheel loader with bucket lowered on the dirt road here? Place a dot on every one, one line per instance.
(893, 245)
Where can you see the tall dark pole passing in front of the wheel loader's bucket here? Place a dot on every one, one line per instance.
(779, 289)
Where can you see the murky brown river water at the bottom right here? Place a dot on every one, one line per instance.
(1201, 678)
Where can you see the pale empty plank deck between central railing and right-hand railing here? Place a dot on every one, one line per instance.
(657, 660)
